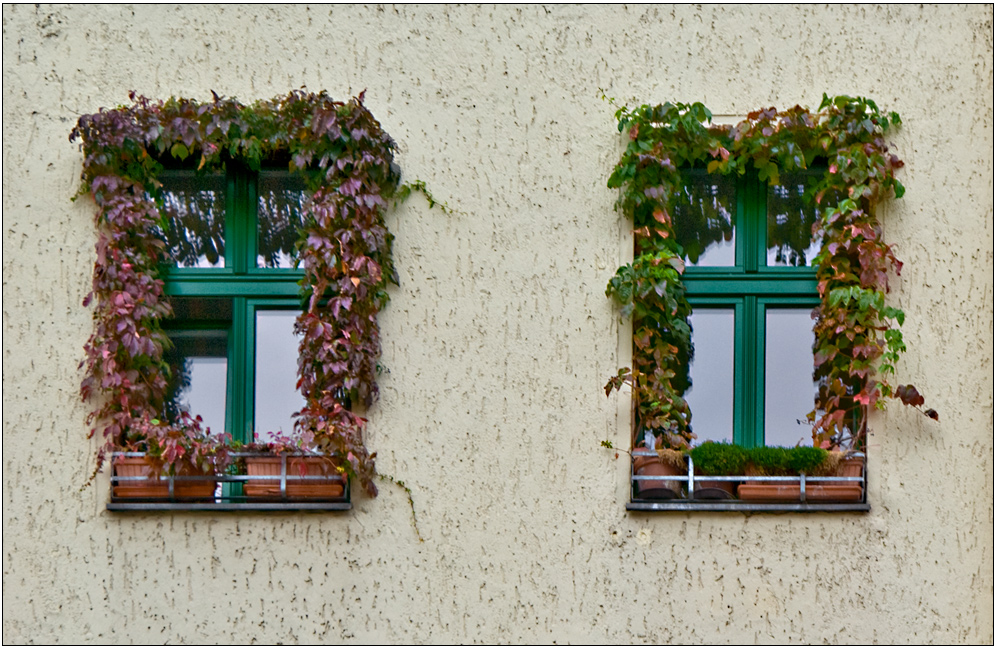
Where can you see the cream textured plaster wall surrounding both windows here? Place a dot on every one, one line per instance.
(500, 338)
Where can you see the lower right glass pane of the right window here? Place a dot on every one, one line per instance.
(789, 384)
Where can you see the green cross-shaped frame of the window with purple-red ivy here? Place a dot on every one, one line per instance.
(239, 284)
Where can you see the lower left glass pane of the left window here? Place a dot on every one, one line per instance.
(199, 367)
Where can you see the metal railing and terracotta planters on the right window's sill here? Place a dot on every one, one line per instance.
(688, 492)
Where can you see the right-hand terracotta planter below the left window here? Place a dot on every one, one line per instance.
(296, 488)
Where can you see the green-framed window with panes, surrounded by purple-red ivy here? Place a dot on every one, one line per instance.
(234, 291)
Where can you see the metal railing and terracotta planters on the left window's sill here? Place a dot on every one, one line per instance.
(255, 481)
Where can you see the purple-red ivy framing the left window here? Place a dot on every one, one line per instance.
(346, 160)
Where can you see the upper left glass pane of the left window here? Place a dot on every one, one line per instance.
(194, 207)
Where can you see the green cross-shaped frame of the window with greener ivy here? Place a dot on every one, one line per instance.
(749, 288)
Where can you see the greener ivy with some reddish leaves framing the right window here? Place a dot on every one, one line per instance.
(857, 334)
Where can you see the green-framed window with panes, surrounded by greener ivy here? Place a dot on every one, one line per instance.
(749, 247)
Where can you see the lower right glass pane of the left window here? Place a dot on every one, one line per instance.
(276, 373)
